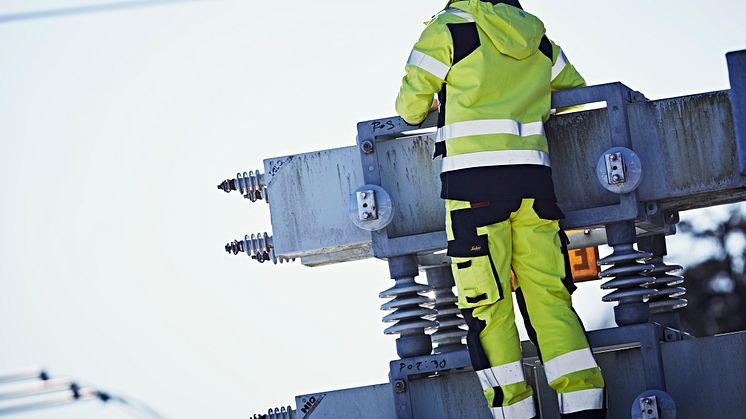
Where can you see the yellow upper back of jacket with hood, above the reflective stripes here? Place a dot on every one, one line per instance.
(504, 75)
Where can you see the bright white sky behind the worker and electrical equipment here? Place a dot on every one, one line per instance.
(116, 127)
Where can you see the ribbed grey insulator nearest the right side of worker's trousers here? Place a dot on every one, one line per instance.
(629, 274)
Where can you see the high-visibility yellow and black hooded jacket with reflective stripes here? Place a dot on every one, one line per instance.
(494, 70)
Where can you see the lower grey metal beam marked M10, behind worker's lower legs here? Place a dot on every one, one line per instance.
(704, 376)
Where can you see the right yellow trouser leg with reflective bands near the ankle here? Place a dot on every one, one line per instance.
(539, 266)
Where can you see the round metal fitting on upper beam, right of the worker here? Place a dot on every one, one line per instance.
(619, 170)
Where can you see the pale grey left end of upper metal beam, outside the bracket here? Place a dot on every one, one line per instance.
(309, 215)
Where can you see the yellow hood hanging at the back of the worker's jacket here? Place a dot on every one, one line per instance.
(513, 31)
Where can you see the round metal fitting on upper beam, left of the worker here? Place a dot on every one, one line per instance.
(376, 210)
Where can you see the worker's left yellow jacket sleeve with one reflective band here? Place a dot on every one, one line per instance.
(426, 71)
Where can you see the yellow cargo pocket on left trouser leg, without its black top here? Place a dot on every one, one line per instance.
(477, 281)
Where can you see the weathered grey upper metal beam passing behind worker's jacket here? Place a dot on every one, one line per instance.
(687, 147)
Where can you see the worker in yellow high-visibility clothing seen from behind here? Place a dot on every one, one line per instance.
(493, 70)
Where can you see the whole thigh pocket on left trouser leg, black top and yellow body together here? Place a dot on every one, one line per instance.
(476, 278)
